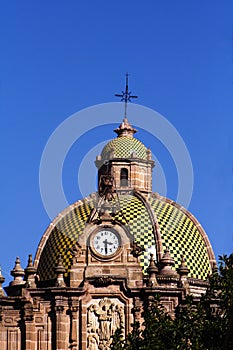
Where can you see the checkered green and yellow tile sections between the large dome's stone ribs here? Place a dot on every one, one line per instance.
(178, 232)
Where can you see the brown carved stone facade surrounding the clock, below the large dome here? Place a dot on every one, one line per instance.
(82, 312)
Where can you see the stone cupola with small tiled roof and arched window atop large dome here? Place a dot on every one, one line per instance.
(127, 160)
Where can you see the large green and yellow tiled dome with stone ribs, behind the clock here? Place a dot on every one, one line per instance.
(155, 223)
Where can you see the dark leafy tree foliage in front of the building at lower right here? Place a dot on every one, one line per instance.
(206, 324)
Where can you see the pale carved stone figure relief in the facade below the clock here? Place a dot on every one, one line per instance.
(103, 318)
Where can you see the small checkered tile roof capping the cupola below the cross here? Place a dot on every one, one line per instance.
(123, 148)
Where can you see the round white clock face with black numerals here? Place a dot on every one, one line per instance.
(106, 242)
